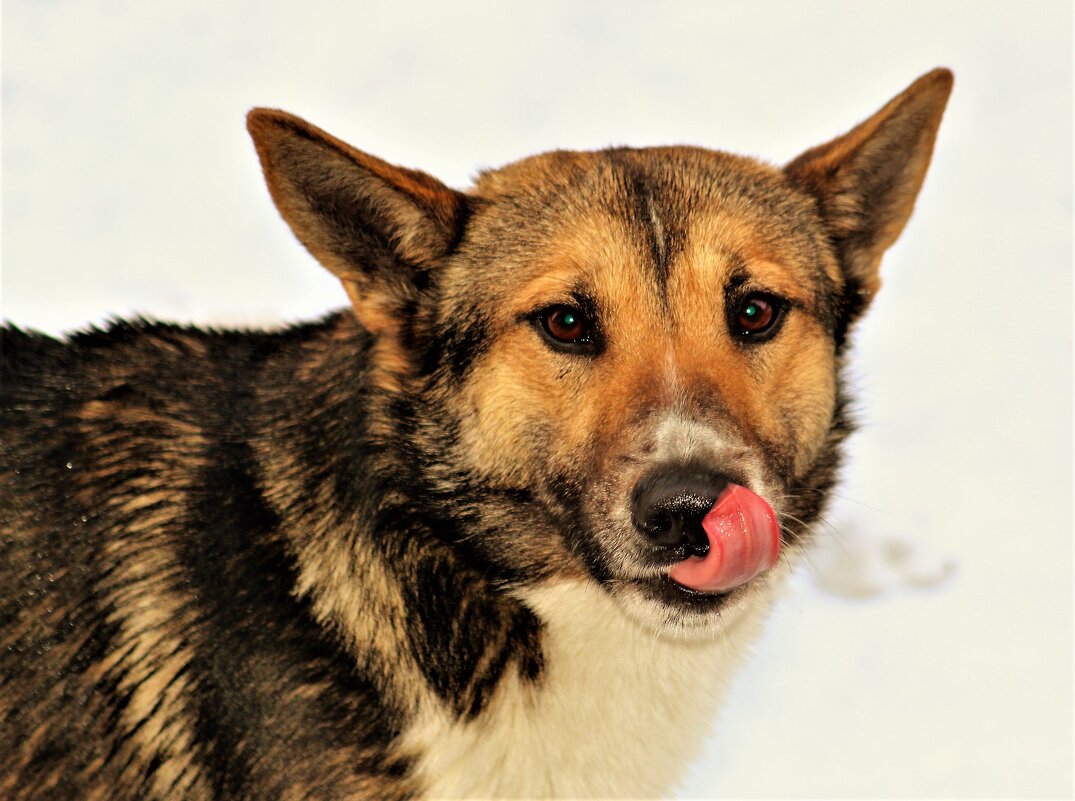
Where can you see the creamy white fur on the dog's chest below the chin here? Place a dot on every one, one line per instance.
(620, 712)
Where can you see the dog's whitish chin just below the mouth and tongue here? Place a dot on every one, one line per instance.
(670, 610)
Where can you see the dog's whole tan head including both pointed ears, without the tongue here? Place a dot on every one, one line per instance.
(594, 347)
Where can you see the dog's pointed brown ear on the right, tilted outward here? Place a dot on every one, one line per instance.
(866, 182)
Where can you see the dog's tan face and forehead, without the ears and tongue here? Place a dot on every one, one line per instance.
(618, 351)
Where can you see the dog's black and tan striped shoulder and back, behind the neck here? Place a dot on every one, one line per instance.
(151, 623)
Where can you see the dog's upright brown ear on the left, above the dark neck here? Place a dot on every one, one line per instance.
(377, 227)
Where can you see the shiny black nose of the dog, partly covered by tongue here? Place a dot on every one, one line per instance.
(669, 504)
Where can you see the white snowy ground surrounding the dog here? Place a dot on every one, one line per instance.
(926, 650)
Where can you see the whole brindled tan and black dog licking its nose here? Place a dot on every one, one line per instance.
(504, 528)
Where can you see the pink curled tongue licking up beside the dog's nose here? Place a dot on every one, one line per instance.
(744, 541)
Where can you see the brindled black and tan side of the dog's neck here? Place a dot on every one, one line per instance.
(377, 567)
